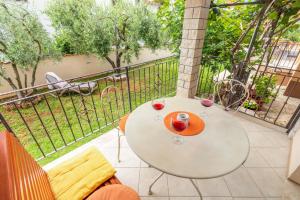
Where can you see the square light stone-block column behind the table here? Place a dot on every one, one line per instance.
(194, 25)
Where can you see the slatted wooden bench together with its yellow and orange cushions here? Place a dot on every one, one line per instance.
(87, 176)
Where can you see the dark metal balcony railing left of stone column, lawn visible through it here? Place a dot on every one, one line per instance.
(46, 122)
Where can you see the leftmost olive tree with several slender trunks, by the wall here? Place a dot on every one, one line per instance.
(23, 42)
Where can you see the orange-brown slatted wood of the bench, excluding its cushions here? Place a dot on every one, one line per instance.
(21, 177)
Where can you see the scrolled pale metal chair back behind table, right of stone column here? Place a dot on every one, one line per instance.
(226, 92)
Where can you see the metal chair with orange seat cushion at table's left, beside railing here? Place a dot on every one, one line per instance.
(110, 96)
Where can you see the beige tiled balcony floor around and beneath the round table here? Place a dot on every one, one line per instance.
(262, 177)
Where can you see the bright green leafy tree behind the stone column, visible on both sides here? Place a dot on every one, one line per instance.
(223, 29)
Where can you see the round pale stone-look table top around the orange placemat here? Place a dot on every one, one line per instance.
(221, 148)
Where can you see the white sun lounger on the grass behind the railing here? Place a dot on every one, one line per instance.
(55, 82)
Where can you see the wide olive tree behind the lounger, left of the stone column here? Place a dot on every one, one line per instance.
(92, 29)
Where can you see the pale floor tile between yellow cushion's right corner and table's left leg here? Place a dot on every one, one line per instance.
(129, 177)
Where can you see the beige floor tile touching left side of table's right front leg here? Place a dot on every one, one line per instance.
(181, 187)
